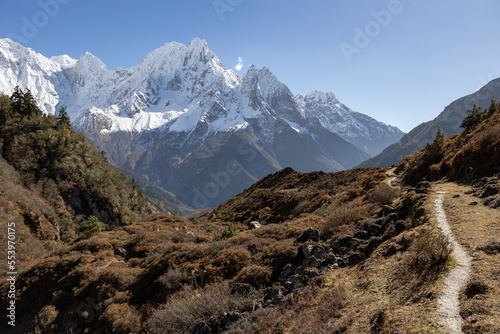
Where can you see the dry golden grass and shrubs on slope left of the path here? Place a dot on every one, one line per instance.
(394, 291)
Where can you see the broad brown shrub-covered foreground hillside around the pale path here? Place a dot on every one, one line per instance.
(356, 251)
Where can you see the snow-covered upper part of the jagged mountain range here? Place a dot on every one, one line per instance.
(175, 89)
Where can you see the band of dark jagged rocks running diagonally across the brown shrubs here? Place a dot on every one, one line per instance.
(315, 256)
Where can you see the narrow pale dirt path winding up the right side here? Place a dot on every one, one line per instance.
(448, 304)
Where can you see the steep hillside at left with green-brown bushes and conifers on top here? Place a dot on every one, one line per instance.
(52, 180)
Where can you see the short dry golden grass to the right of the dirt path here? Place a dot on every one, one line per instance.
(476, 228)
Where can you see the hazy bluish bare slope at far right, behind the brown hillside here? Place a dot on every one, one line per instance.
(449, 120)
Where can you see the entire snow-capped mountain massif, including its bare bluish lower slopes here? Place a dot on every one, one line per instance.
(186, 123)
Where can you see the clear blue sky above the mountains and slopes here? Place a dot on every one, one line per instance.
(414, 63)
